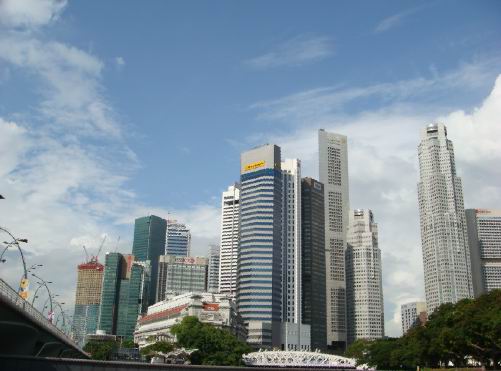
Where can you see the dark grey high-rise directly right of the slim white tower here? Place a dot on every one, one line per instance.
(313, 261)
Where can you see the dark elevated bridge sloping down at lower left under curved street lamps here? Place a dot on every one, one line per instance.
(26, 332)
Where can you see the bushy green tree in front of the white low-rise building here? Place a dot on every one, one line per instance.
(215, 346)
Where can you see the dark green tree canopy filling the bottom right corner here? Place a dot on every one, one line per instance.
(455, 333)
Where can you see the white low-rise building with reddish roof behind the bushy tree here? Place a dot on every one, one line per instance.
(216, 309)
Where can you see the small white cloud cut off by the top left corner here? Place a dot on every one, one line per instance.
(30, 13)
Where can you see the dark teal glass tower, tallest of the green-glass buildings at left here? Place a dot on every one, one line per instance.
(148, 245)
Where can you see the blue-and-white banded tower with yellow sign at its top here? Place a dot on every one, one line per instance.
(259, 286)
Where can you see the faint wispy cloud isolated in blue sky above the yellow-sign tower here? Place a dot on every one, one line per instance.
(295, 52)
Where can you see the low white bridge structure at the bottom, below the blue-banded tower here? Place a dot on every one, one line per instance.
(277, 358)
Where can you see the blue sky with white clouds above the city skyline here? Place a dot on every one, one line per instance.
(114, 110)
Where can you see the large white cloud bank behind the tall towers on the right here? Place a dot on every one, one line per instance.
(383, 157)
